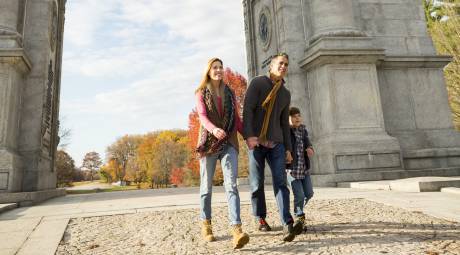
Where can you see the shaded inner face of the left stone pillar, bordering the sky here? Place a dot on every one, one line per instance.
(38, 140)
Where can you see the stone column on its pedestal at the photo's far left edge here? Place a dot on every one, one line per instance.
(14, 64)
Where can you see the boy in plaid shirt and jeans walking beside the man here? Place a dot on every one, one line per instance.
(298, 174)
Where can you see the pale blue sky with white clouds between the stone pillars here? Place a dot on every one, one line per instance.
(131, 67)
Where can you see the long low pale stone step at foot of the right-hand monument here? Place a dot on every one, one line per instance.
(417, 184)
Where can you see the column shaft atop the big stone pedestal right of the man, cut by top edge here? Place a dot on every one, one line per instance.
(333, 18)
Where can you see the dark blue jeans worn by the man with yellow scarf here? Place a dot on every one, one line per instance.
(276, 159)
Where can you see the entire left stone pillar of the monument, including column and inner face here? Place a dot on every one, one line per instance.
(30, 64)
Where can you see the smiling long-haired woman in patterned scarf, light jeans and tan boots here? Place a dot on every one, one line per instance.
(220, 121)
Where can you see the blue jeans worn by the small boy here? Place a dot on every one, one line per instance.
(302, 190)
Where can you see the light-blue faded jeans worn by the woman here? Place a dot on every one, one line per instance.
(229, 162)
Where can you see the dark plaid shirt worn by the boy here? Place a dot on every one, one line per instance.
(299, 170)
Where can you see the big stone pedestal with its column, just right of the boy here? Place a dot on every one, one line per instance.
(346, 109)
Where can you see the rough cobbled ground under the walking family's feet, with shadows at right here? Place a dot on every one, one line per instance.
(351, 226)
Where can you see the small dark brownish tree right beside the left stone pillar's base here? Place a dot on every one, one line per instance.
(65, 168)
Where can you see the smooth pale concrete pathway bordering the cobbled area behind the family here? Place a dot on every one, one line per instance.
(39, 229)
